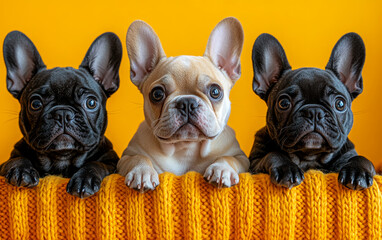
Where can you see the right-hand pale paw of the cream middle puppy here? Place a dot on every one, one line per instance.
(221, 175)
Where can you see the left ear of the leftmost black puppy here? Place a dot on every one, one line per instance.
(22, 61)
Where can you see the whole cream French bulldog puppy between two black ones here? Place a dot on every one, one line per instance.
(186, 106)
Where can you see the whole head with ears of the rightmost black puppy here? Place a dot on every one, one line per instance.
(309, 109)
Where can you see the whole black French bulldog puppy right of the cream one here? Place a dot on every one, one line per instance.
(309, 114)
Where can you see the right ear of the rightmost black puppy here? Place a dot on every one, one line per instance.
(346, 62)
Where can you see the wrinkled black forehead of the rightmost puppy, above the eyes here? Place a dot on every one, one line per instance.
(311, 83)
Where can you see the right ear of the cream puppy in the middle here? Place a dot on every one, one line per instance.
(225, 45)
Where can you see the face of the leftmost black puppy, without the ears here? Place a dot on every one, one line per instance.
(63, 109)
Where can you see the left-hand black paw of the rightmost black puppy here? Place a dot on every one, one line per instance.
(287, 175)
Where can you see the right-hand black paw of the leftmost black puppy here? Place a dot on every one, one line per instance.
(84, 184)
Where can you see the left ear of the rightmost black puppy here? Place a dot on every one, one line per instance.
(269, 63)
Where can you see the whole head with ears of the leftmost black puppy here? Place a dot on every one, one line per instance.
(62, 109)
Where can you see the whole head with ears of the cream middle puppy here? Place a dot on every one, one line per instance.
(186, 98)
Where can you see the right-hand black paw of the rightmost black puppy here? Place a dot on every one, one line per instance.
(356, 178)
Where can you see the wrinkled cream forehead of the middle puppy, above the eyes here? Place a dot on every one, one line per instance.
(186, 74)
